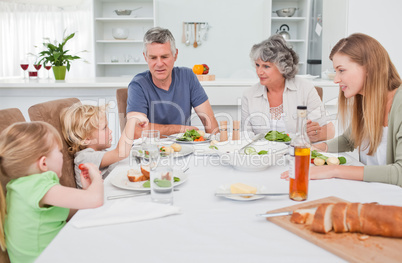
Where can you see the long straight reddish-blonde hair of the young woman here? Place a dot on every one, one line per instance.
(367, 110)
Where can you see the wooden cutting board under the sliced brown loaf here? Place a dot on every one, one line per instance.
(346, 245)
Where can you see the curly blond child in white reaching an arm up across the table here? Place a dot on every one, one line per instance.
(86, 131)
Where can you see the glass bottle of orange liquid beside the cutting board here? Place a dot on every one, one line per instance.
(299, 164)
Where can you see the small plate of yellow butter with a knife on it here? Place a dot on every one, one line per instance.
(240, 188)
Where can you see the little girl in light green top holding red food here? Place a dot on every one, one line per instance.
(37, 205)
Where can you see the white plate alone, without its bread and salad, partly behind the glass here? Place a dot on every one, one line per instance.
(120, 180)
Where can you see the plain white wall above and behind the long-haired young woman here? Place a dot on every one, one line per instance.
(381, 20)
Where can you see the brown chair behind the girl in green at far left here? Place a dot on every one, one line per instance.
(8, 117)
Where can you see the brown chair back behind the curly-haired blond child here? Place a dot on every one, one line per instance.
(50, 112)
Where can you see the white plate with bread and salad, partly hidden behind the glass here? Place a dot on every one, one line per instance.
(130, 179)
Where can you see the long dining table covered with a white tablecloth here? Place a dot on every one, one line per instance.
(210, 228)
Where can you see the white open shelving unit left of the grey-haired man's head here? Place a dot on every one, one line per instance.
(121, 57)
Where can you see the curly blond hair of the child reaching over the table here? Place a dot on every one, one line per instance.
(78, 122)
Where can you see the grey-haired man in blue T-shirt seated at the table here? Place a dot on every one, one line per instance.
(166, 94)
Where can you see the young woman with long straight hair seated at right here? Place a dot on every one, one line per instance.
(371, 93)
